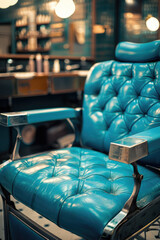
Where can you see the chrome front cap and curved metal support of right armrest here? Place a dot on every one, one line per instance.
(127, 150)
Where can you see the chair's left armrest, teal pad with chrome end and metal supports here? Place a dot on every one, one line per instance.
(16, 119)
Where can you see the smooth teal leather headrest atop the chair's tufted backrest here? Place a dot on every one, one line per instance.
(138, 52)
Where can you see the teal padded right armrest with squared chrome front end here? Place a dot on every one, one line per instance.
(135, 147)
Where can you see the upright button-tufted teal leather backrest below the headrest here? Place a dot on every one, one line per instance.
(120, 99)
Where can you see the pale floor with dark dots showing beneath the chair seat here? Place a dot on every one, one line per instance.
(64, 235)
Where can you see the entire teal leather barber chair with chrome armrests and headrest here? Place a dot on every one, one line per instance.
(89, 189)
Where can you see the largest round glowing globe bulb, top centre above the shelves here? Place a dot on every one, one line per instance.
(65, 8)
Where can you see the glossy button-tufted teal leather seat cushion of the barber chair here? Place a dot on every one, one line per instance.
(78, 189)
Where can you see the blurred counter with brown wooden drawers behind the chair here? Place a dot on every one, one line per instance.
(23, 84)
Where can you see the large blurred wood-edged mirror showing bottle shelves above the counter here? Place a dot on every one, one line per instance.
(36, 28)
